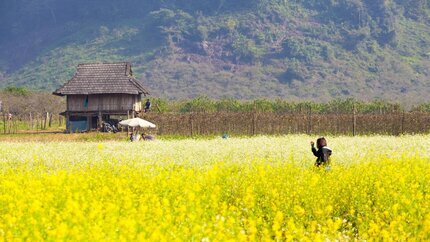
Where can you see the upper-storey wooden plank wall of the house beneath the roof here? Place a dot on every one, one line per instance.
(104, 102)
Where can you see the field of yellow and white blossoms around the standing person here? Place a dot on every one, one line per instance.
(240, 189)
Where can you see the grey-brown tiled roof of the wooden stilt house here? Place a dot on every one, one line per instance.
(102, 78)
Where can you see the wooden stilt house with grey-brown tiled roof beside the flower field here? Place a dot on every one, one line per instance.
(98, 91)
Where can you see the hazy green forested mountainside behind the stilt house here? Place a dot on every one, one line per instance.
(292, 49)
